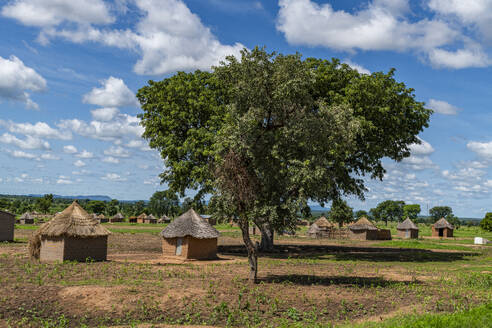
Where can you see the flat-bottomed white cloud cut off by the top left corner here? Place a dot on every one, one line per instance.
(46, 13)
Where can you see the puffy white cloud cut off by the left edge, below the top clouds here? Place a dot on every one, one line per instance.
(17, 79)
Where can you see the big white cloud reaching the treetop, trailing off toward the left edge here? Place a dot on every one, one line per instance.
(168, 36)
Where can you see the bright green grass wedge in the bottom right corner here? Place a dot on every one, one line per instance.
(479, 317)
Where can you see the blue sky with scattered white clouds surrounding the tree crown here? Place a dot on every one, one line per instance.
(69, 71)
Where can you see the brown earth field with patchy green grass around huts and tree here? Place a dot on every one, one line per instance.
(303, 283)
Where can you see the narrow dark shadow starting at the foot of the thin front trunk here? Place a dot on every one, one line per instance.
(307, 280)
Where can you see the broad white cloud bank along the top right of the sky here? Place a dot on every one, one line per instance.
(390, 25)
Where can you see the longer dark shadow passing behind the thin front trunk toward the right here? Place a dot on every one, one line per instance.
(347, 253)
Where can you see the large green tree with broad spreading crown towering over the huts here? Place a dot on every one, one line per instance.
(266, 133)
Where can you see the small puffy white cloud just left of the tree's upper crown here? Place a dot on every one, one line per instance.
(113, 93)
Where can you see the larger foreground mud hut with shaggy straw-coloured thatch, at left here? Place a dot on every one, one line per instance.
(71, 235)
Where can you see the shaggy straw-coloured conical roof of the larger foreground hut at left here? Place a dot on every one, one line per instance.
(74, 221)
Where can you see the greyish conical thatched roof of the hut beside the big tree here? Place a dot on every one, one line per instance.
(190, 224)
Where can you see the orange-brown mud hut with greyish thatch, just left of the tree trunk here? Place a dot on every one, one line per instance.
(191, 237)
